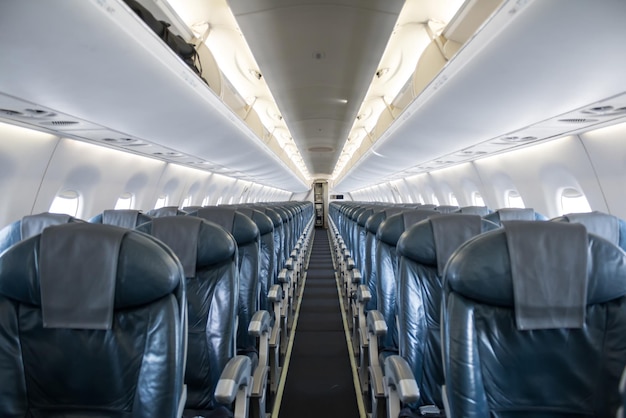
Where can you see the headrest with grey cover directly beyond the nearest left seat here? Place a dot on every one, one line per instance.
(197, 243)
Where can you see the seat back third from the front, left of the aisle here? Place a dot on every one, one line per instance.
(247, 236)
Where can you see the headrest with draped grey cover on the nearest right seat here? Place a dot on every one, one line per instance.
(483, 268)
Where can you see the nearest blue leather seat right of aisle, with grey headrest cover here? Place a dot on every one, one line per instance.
(534, 321)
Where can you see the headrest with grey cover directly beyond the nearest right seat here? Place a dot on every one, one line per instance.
(433, 241)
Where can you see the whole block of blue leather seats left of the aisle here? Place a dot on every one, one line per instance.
(166, 313)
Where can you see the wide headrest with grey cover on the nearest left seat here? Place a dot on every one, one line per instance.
(80, 272)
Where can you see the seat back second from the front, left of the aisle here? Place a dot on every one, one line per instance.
(208, 255)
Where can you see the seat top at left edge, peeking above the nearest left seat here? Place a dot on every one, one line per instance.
(30, 226)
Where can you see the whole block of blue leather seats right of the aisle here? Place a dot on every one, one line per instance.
(502, 314)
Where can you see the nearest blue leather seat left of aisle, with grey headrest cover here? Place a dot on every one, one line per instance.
(92, 321)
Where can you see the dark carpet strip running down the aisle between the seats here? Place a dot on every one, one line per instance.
(319, 380)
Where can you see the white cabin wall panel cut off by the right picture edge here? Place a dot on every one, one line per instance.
(607, 151)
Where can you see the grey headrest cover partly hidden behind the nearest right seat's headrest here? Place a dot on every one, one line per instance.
(450, 231)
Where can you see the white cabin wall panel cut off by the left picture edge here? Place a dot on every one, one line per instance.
(24, 156)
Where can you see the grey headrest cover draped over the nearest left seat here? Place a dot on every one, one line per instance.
(78, 267)
